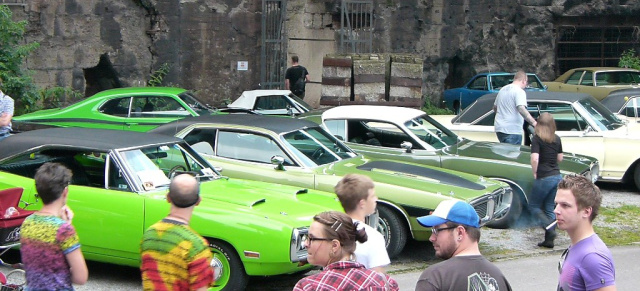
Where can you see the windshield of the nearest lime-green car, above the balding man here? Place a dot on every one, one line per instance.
(152, 167)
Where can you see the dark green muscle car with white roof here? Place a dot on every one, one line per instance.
(407, 134)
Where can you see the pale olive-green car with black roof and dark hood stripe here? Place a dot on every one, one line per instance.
(300, 153)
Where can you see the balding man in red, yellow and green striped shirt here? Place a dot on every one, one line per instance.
(175, 257)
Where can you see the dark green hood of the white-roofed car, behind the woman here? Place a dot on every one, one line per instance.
(515, 154)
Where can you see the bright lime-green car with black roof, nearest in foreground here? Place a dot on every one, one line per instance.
(119, 185)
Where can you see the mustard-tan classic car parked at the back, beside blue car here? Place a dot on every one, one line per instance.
(599, 82)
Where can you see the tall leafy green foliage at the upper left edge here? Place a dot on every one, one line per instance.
(16, 82)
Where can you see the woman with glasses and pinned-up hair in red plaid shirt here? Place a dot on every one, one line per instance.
(331, 244)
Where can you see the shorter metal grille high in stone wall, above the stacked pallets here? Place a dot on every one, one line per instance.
(357, 26)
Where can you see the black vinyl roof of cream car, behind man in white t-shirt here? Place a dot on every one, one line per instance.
(485, 103)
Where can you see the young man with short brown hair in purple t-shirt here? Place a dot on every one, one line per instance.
(587, 264)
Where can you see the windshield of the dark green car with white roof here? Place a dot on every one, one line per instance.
(430, 131)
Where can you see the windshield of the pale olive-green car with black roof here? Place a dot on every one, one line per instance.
(315, 147)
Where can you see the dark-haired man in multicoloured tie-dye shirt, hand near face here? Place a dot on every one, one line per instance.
(50, 247)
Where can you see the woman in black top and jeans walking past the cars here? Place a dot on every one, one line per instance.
(546, 153)
